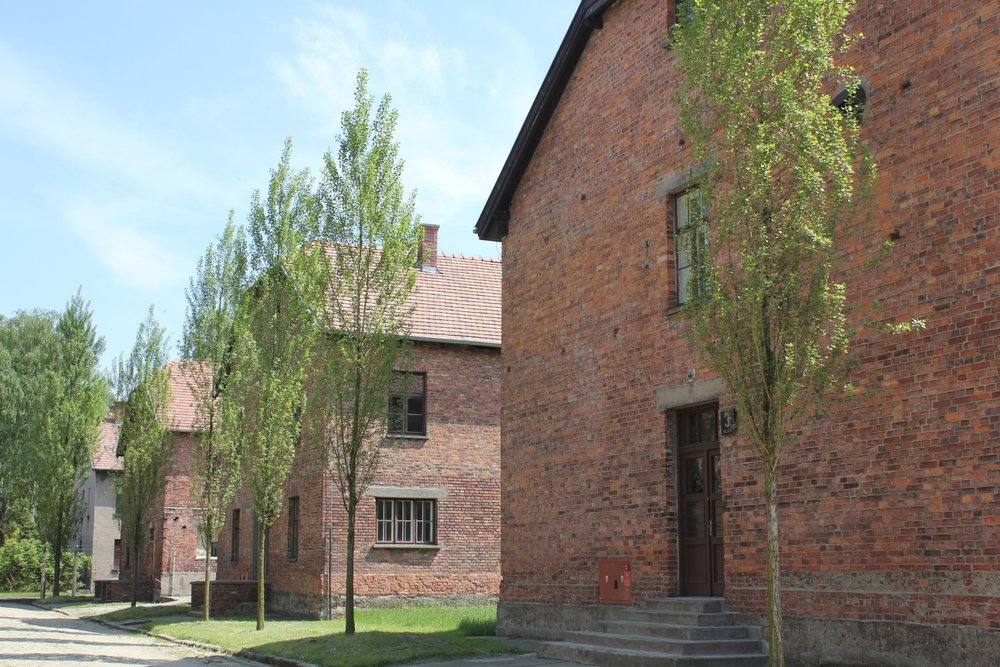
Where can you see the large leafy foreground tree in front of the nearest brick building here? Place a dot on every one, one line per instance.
(783, 171)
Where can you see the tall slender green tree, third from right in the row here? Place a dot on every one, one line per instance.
(274, 329)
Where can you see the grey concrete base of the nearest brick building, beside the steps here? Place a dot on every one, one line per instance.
(812, 642)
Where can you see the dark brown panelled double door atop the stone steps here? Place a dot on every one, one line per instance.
(700, 496)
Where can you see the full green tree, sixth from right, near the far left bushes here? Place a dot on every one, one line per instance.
(70, 409)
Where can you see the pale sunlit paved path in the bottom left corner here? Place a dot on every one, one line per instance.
(30, 636)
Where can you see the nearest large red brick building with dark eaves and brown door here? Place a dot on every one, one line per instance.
(890, 505)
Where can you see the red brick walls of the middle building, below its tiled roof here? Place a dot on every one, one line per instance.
(460, 455)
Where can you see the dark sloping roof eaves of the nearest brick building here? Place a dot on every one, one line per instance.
(492, 224)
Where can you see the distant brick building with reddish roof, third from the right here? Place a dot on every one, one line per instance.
(174, 555)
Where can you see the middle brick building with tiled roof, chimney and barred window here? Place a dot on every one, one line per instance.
(429, 526)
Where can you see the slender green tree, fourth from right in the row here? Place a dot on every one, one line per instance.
(213, 297)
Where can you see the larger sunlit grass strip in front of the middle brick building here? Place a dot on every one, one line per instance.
(384, 636)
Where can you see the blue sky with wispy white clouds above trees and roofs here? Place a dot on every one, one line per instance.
(129, 130)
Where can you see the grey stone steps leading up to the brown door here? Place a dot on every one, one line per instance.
(674, 632)
